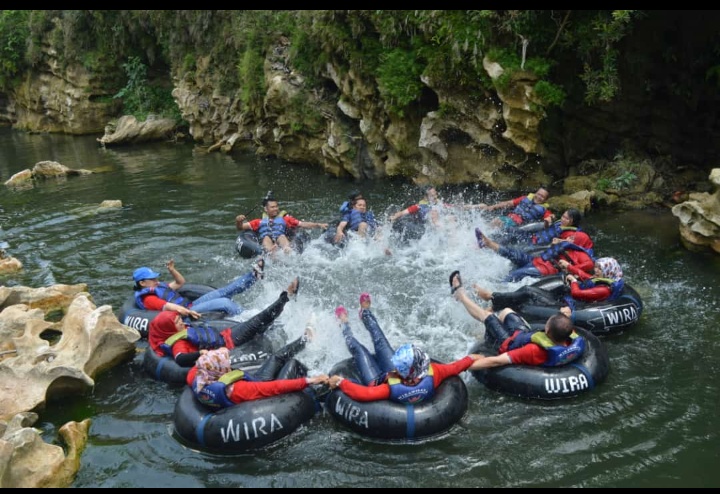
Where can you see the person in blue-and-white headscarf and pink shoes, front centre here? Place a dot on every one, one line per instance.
(405, 376)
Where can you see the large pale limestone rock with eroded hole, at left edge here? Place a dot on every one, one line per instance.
(51, 360)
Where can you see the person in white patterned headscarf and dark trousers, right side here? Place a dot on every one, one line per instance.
(606, 284)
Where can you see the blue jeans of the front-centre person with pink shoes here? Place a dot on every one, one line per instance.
(372, 368)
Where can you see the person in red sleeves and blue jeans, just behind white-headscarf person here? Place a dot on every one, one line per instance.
(573, 254)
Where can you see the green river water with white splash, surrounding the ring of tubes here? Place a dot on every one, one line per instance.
(648, 425)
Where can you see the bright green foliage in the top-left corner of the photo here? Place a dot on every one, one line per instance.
(14, 32)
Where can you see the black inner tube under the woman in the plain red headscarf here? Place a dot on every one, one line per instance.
(247, 356)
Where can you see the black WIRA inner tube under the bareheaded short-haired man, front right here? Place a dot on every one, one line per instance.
(548, 383)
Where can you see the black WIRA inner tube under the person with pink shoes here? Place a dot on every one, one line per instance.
(395, 422)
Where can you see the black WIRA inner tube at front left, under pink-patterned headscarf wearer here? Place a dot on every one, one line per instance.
(247, 426)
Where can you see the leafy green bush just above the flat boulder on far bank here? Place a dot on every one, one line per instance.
(141, 98)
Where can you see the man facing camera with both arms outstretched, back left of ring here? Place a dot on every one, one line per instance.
(274, 227)
